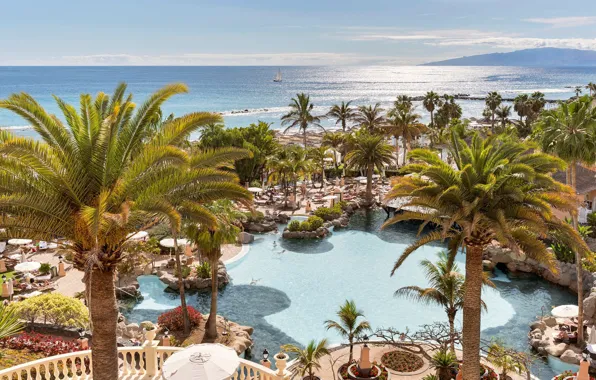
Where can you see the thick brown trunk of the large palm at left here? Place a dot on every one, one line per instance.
(104, 316)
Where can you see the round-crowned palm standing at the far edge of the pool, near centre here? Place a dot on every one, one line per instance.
(369, 151)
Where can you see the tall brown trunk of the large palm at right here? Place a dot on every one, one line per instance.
(472, 312)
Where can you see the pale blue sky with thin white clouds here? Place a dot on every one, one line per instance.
(282, 32)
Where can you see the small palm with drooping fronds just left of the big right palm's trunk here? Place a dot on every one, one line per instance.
(446, 289)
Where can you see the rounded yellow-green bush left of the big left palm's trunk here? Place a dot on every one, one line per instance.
(53, 308)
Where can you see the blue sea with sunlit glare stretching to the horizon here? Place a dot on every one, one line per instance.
(247, 94)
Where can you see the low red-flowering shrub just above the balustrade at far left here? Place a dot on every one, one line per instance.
(46, 344)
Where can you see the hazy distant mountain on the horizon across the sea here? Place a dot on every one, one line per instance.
(542, 57)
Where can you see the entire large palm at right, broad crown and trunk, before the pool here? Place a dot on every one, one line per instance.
(498, 190)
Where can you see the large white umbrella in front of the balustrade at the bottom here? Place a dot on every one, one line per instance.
(201, 362)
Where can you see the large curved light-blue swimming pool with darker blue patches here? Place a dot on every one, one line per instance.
(286, 289)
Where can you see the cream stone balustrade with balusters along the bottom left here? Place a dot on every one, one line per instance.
(135, 363)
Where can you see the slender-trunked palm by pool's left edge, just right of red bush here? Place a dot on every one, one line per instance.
(209, 240)
